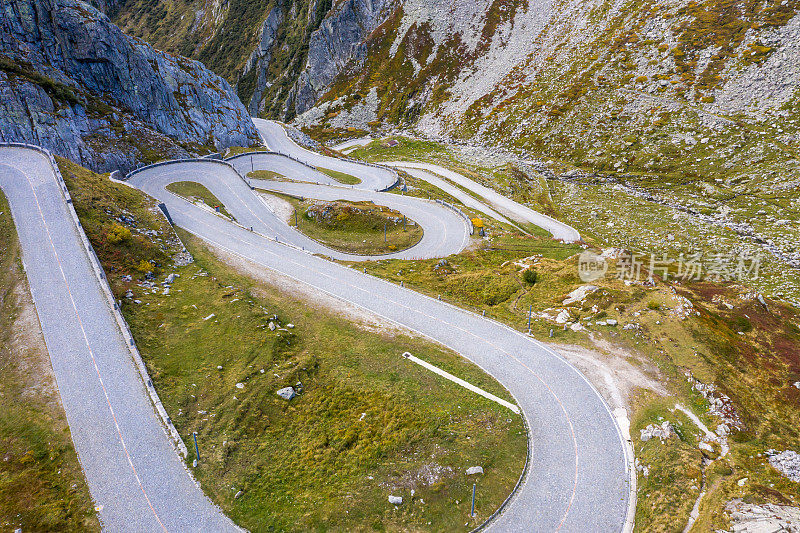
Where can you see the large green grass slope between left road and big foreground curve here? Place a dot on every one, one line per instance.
(367, 424)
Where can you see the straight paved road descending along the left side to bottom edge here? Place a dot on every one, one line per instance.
(134, 474)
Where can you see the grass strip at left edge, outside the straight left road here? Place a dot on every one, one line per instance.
(42, 487)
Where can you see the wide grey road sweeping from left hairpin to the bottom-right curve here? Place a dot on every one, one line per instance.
(578, 476)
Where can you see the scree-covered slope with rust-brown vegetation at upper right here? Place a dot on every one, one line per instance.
(702, 89)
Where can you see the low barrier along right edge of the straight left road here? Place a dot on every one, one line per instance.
(94, 261)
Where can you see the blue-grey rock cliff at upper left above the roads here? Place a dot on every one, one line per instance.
(73, 82)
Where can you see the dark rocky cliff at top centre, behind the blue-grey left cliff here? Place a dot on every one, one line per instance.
(281, 55)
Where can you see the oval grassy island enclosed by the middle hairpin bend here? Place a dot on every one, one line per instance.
(355, 227)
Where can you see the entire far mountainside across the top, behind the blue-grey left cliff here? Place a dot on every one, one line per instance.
(608, 85)
